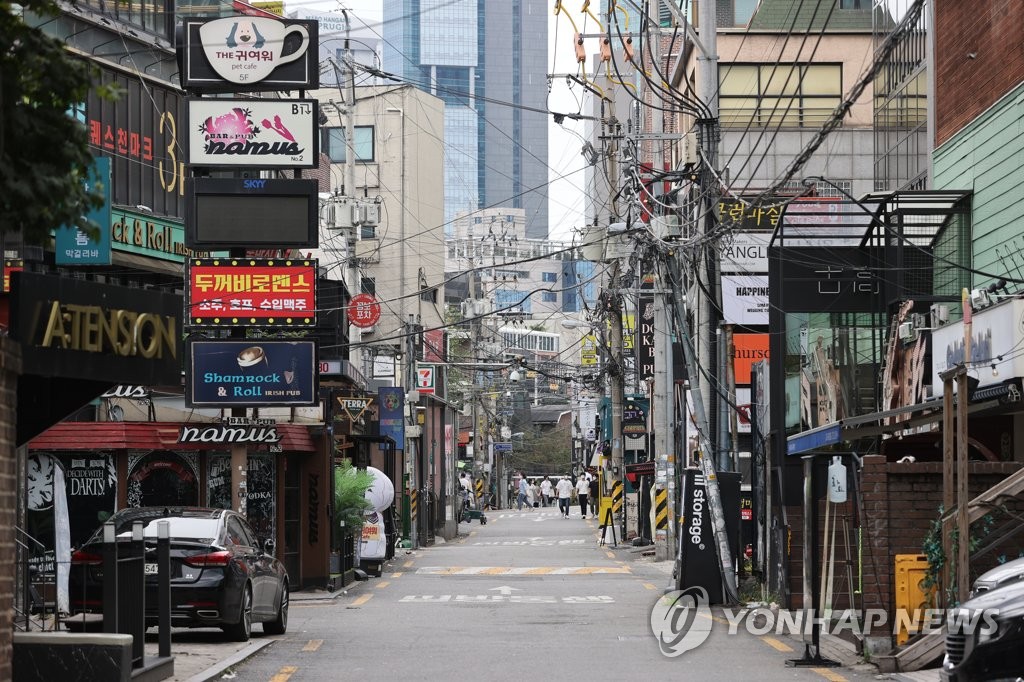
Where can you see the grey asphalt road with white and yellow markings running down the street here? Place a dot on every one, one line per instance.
(528, 596)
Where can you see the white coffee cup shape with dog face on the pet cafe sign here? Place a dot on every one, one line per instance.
(246, 50)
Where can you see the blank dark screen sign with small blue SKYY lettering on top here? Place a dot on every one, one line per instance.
(248, 214)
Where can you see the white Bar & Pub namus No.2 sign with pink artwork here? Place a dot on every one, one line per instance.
(262, 134)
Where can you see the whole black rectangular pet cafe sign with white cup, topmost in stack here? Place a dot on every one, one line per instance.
(248, 54)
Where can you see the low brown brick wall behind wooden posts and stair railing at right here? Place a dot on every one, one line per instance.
(901, 503)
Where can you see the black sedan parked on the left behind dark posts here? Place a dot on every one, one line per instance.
(221, 574)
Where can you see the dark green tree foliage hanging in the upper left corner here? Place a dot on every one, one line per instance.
(45, 153)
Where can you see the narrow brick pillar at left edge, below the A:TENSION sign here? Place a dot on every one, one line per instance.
(11, 367)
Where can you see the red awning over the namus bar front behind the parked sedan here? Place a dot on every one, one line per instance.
(150, 436)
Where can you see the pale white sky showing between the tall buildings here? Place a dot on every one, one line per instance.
(566, 200)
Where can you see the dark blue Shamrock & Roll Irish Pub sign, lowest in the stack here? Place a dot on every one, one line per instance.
(251, 373)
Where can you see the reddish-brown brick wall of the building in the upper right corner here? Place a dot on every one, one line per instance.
(966, 87)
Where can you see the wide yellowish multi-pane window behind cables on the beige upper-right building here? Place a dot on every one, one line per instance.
(771, 96)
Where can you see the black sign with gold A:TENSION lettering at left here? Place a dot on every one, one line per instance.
(78, 329)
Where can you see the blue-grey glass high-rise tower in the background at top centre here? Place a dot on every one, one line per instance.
(488, 61)
